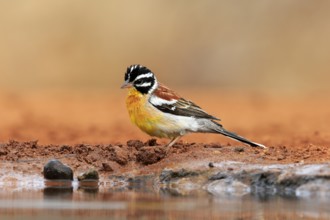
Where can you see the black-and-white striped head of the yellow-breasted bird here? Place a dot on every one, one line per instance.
(141, 78)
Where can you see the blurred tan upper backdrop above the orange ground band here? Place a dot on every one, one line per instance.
(262, 45)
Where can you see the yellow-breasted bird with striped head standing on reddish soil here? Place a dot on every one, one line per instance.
(163, 113)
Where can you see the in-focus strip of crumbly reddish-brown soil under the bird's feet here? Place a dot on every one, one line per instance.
(138, 157)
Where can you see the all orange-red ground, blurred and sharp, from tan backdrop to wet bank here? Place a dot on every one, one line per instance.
(92, 129)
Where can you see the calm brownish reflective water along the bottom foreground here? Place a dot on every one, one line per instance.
(65, 202)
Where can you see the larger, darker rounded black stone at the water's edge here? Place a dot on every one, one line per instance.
(56, 170)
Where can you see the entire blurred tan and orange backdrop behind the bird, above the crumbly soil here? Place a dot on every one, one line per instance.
(62, 63)
